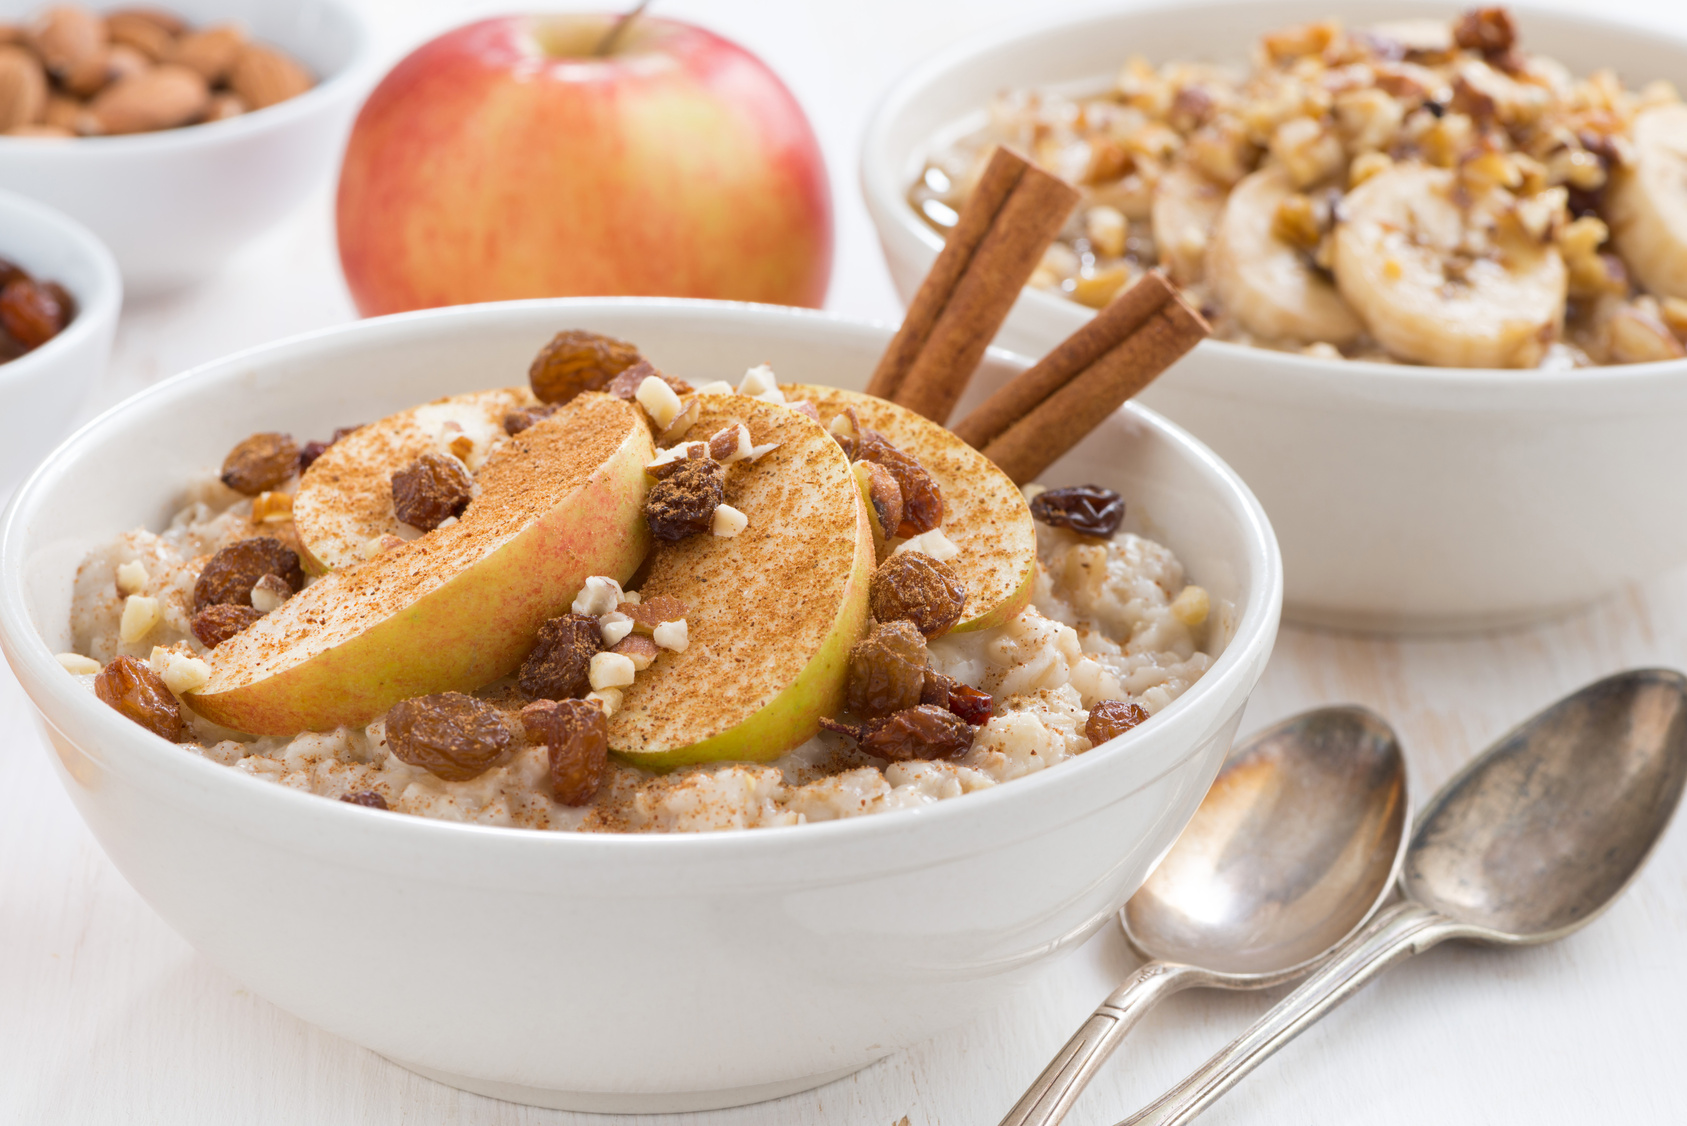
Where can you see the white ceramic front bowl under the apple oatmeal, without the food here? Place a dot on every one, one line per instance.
(596, 972)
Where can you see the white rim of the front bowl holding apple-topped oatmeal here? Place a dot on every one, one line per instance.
(1254, 629)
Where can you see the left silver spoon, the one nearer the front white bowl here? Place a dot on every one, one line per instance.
(1296, 845)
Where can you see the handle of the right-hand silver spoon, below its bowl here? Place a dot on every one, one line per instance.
(1394, 936)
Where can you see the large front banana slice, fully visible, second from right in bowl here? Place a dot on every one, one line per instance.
(1447, 283)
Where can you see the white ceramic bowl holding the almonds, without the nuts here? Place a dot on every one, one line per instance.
(175, 205)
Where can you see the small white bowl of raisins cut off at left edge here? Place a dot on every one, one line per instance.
(60, 296)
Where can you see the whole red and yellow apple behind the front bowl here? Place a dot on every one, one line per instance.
(505, 160)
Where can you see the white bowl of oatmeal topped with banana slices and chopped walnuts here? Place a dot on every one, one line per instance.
(1435, 247)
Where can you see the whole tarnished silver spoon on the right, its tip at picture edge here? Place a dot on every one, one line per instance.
(1526, 845)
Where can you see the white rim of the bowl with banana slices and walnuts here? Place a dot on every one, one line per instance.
(885, 195)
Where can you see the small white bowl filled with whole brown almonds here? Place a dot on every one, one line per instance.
(176, 134)
